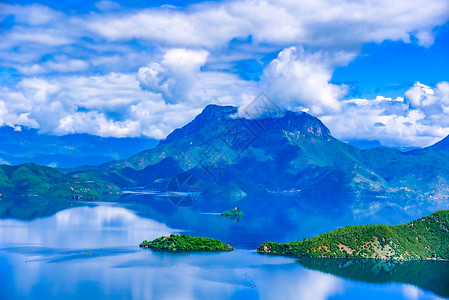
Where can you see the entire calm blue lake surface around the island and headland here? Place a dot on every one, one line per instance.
(91, 252)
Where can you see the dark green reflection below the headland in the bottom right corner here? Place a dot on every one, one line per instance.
(429, 275)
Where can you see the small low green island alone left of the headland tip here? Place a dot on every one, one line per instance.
(182, 242)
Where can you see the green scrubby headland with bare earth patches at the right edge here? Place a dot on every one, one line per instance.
(424, 239)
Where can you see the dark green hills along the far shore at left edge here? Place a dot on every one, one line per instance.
(34, 180)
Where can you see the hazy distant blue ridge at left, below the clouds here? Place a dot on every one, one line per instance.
(65, 151)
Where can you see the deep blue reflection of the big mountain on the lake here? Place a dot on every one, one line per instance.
(273, 218)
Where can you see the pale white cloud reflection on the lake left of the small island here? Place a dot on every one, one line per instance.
(101, 226)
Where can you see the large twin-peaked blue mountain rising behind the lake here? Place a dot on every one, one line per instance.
(291, 154)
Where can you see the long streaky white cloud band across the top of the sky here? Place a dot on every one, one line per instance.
(269, 25)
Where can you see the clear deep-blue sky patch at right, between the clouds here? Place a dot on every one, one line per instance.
(391, 67)
